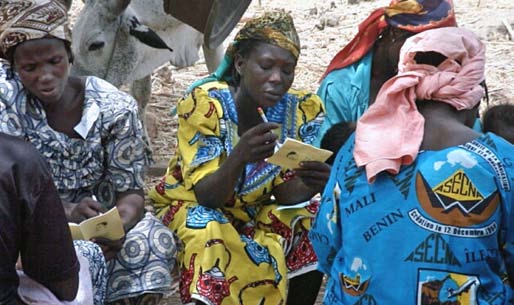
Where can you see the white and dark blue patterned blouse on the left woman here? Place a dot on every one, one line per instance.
(110, 156)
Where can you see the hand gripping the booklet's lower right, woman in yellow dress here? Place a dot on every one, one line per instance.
(314, 174)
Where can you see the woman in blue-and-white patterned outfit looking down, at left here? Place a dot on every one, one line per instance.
(91, 136)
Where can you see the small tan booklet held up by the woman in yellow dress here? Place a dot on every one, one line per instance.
(290, 153)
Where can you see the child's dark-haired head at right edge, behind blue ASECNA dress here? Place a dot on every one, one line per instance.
(499, 119)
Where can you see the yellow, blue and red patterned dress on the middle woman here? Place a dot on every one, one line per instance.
(244, 252)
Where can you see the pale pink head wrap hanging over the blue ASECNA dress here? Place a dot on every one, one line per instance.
(390, 133)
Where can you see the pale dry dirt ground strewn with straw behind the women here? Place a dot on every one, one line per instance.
(325, 27)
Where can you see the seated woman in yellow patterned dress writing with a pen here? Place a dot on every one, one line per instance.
(222, 198)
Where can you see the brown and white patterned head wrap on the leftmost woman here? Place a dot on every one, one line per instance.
(23, 20)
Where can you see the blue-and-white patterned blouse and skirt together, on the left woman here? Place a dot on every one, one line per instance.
(108, 158)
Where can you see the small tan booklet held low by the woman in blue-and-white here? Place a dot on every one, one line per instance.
(107, 225)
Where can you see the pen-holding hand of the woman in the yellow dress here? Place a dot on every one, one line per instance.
(256, 144)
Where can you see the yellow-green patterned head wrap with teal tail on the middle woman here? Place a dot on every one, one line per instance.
(275, 28)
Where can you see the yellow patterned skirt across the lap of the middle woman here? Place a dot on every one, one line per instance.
(274, 245)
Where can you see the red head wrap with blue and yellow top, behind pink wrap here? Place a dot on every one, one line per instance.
(411, 15)
